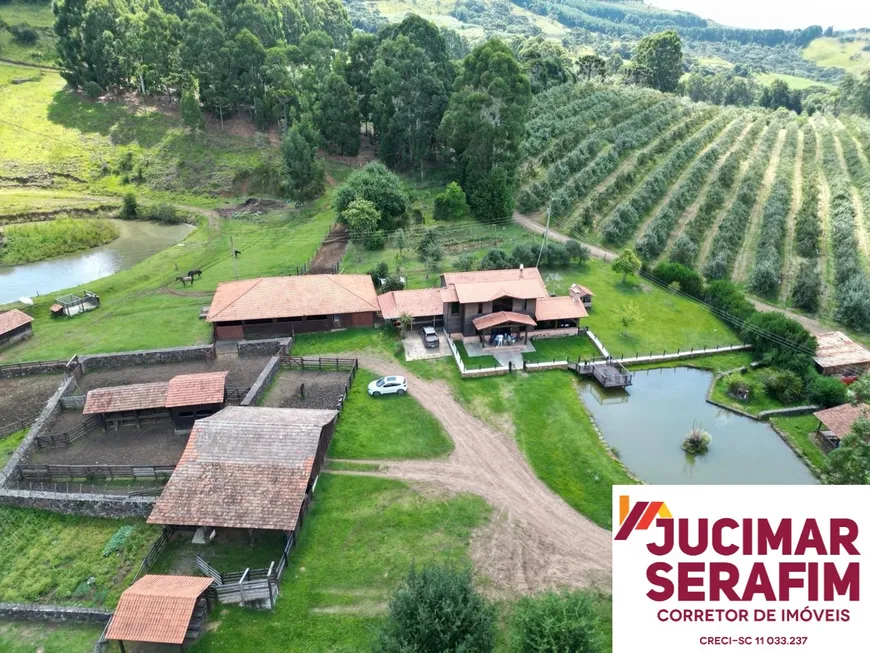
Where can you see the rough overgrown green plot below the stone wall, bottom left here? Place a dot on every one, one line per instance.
(49, 558)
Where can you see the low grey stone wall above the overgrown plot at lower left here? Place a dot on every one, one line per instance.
(86, 505)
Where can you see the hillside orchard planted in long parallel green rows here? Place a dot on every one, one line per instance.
(779, 204)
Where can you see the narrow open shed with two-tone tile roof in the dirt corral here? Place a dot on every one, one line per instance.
(184, 398)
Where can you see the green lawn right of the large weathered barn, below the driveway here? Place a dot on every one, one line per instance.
(357, 543)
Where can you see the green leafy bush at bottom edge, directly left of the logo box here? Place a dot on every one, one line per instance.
(552, 622)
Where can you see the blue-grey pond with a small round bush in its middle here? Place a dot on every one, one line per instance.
(647, 424)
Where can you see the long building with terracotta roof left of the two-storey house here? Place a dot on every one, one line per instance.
(271, 307)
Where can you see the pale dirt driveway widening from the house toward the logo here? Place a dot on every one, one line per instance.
(535, 539)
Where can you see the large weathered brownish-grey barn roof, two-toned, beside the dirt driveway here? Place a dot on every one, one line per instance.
(244, 467)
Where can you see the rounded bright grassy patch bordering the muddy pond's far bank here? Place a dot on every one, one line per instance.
(42, 240)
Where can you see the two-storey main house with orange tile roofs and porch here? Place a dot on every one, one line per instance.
(489, 304)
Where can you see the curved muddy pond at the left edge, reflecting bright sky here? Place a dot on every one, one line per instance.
(137, 241)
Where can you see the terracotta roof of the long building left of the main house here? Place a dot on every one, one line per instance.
(296, 296)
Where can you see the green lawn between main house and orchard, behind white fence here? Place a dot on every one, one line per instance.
(667, 322)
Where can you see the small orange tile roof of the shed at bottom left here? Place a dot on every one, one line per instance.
(157, 609)
